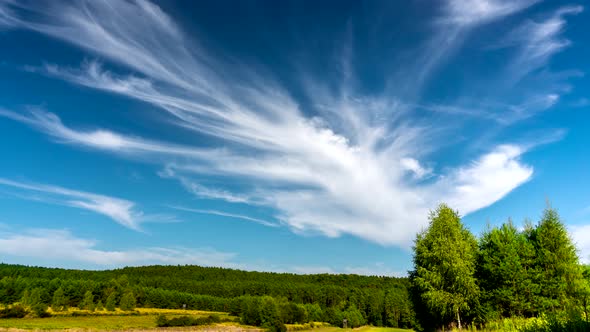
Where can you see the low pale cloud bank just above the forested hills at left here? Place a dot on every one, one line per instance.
(62, 245)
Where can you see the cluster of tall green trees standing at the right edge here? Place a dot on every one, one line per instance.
(507, 272)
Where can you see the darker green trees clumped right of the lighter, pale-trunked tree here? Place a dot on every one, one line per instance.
(530, 272)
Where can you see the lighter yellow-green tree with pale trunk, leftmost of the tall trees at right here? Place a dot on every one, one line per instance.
(444, 268)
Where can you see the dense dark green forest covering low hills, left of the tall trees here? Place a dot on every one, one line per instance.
(381, 301)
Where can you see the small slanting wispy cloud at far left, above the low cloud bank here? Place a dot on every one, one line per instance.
(120, 210)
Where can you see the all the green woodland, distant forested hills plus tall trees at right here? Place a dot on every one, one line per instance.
(531, 272)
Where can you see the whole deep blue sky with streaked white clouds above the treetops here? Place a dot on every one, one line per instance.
(289, 136)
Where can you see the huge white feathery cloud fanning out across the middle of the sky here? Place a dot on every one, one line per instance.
(354, 168)
